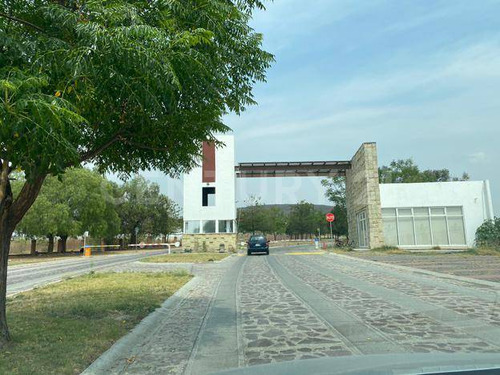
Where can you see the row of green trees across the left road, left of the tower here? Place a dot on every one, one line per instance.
(83, 200)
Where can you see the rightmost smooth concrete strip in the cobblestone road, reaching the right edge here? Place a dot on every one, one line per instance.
(474, 327)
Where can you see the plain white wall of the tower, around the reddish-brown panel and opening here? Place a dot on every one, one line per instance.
(225, 206)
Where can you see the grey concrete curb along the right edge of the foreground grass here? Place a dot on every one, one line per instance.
(122, 350)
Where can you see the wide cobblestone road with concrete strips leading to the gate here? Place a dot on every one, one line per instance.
(297, 304)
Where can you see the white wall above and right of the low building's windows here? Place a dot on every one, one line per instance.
(473, 196)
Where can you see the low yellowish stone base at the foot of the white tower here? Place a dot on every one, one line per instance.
(210, 242)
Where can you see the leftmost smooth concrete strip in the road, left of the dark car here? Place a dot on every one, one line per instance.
(217, 347)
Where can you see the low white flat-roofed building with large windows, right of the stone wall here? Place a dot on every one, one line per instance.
(444, 214)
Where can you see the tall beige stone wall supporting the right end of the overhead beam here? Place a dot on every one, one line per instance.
(363, 194)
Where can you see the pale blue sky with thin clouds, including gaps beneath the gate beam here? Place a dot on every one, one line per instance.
(419, 78)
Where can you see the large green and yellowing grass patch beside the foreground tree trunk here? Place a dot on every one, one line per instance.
(62, 328)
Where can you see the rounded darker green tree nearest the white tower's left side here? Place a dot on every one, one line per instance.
(144, 210)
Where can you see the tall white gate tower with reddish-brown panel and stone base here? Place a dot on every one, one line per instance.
(209, 200)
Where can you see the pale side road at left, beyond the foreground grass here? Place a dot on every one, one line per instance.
(28, 276)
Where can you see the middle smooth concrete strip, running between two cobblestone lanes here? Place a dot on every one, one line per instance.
(360, 337)
